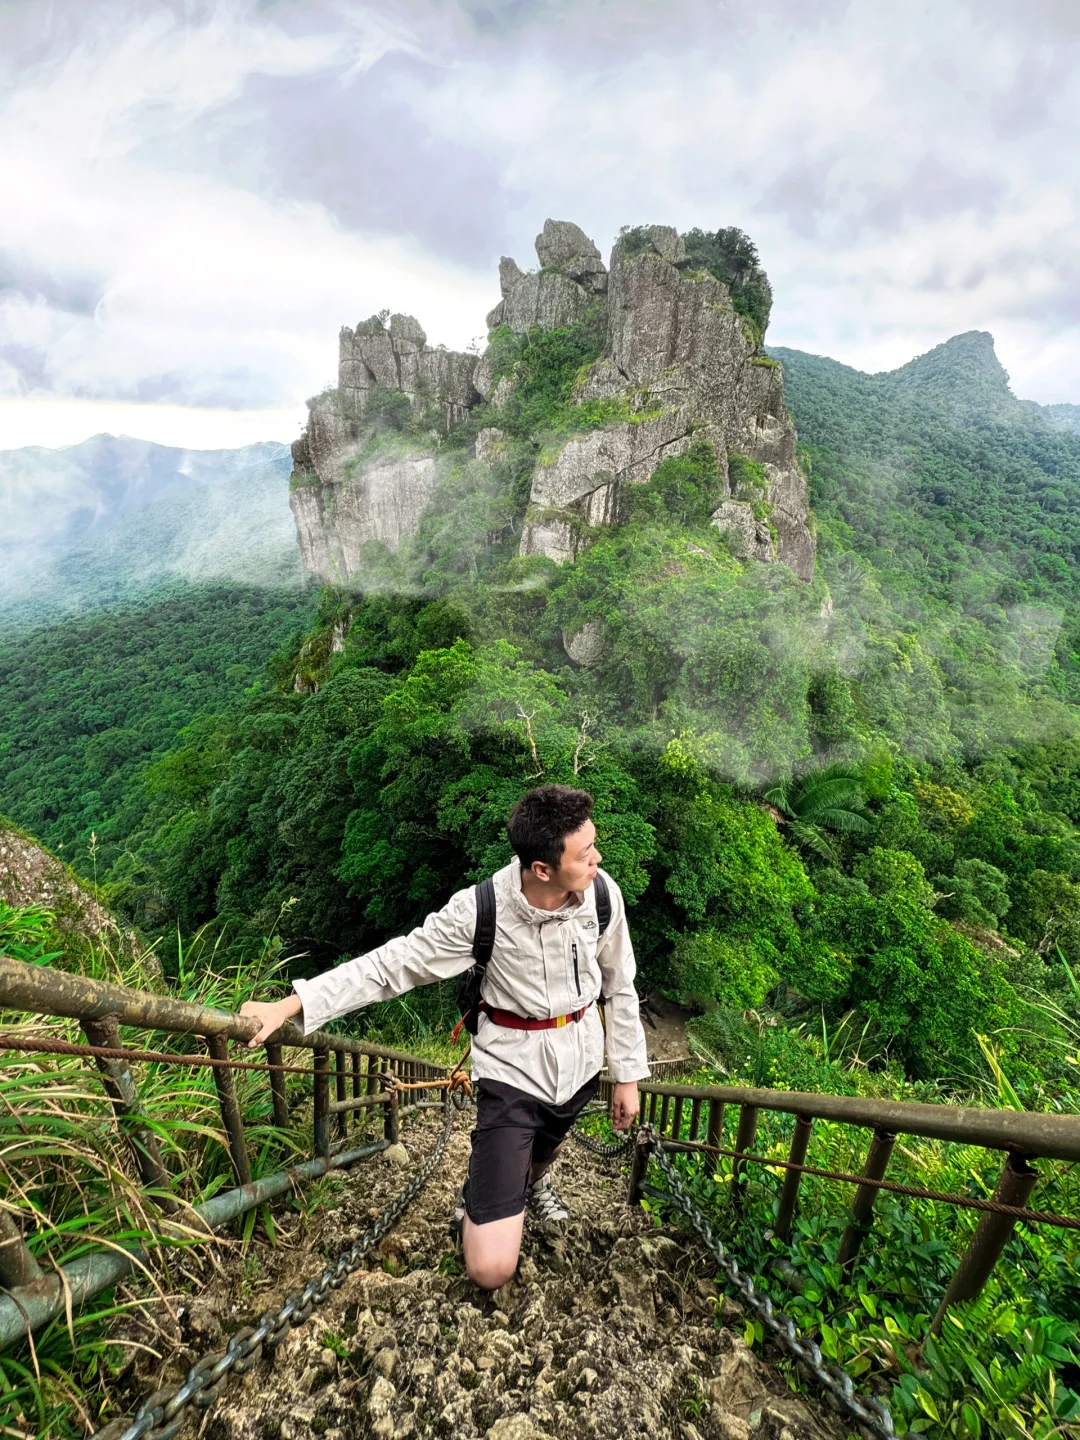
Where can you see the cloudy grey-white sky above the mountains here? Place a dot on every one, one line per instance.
(198, 197)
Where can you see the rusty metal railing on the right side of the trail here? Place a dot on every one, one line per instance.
(692, 1118)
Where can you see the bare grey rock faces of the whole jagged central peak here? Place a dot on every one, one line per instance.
(679, 365)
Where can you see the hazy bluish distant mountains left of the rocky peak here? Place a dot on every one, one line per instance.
(116, 518)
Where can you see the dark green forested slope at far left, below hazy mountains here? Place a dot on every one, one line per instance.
(89, 702)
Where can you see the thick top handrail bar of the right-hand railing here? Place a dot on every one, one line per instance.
(1052, 1137)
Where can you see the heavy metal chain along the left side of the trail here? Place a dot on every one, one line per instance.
(162, 1415)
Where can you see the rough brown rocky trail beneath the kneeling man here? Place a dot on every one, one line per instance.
(610, 1328)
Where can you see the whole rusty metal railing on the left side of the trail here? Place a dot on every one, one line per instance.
(365, 1078)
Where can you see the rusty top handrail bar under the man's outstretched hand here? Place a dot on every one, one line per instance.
(44, 991)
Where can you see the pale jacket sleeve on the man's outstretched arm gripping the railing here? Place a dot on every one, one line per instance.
(434, 951)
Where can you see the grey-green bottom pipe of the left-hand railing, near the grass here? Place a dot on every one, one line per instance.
(35, 1305)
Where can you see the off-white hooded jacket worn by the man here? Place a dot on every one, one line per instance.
(544, 964)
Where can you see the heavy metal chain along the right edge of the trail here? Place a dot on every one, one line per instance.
(868, 1412)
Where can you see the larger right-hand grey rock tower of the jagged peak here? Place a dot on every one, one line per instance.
(688, 366)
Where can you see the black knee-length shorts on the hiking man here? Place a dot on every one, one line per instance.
(515, 1131)
